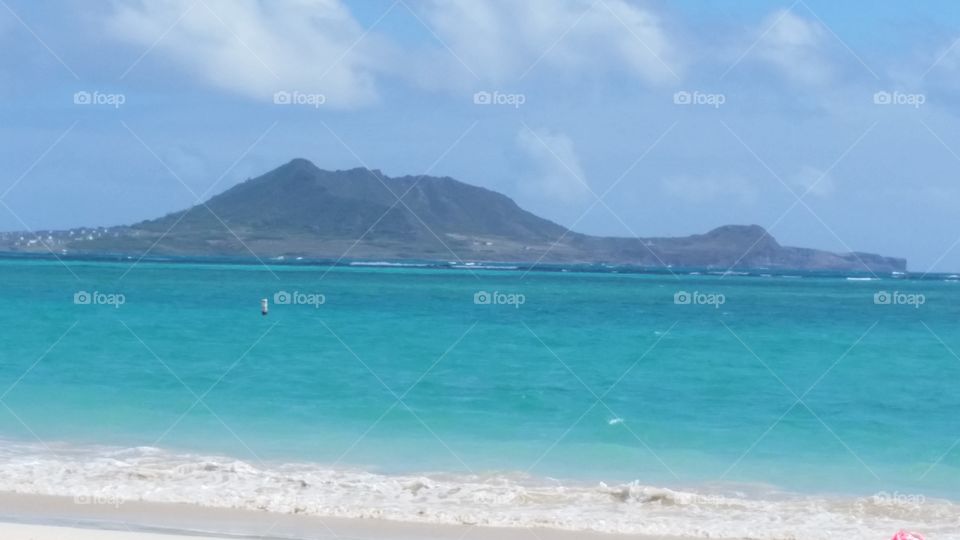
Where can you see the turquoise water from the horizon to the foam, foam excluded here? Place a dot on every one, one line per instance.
(595, 377)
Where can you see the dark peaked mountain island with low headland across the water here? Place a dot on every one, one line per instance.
(301, 210)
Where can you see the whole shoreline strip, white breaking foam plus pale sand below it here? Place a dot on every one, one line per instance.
(148, 490)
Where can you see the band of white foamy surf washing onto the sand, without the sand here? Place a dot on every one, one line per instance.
(513, 500)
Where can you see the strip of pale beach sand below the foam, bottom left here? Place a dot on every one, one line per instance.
(48, 517)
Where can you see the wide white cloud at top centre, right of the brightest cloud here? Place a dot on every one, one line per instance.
(501, 40)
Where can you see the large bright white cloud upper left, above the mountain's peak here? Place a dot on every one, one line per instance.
(255, 48)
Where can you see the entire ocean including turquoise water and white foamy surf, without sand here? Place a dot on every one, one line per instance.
(686, 403)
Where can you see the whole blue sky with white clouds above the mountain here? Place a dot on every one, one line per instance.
(832, 124)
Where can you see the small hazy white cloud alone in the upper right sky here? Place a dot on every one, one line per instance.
(794, 46)
